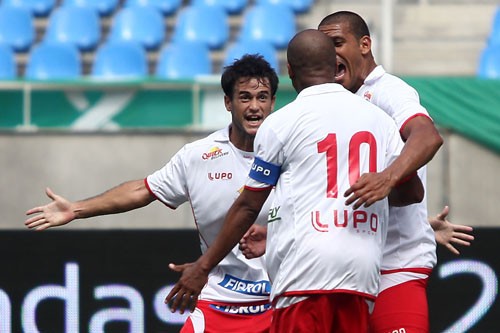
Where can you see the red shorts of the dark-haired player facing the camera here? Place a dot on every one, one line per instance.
(211, 317)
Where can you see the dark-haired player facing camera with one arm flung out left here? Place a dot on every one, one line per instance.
(209, 173)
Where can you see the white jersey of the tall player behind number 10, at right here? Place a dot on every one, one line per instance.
(410, 239)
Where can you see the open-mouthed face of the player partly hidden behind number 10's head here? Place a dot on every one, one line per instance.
(350, 59)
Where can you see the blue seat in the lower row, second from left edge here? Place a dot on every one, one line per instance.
(54, 61)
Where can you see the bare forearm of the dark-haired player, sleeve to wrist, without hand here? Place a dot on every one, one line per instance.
(122, 198)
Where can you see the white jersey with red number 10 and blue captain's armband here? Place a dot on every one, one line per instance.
(313, 149)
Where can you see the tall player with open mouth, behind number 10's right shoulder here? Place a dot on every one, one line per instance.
(409, 253)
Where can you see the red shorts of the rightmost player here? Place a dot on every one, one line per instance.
(402, 309)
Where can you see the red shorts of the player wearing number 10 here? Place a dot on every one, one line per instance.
(335, 312)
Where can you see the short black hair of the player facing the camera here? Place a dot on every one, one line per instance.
(249, 66)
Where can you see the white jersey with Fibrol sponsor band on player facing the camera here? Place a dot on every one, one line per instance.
(210, 173)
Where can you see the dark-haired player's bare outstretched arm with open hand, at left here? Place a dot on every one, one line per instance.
(60, 211)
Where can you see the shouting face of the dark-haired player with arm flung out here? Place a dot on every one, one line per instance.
(250, 104)
